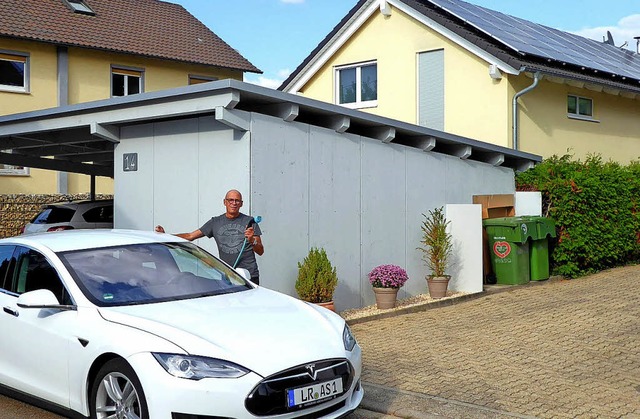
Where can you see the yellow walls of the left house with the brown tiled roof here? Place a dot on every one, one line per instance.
(89, 80)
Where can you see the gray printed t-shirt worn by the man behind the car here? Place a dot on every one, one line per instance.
(229, 236)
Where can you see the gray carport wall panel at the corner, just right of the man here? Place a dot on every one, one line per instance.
(280, 194)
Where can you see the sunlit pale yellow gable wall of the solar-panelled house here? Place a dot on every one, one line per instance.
(475, 104)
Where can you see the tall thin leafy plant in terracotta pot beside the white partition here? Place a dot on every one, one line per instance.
(437, 247)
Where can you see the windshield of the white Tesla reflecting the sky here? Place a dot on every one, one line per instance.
(150, 272)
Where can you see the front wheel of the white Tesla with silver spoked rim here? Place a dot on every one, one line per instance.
(116, 392)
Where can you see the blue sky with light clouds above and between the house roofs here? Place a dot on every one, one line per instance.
(277, 35)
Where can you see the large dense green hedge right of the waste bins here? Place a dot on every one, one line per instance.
(595, 206)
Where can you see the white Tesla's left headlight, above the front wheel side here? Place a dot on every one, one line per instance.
(199, 367)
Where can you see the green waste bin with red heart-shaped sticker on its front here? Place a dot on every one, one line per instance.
(509, 248)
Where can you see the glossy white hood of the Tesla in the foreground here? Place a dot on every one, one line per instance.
(259, 329)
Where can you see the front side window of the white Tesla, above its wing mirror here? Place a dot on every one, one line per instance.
(34, 272)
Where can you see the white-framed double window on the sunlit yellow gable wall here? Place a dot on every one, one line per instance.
(357, 86)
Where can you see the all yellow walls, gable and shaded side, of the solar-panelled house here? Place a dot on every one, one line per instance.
(477, 106)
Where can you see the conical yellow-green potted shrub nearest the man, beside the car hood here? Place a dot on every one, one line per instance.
(317, 279)
